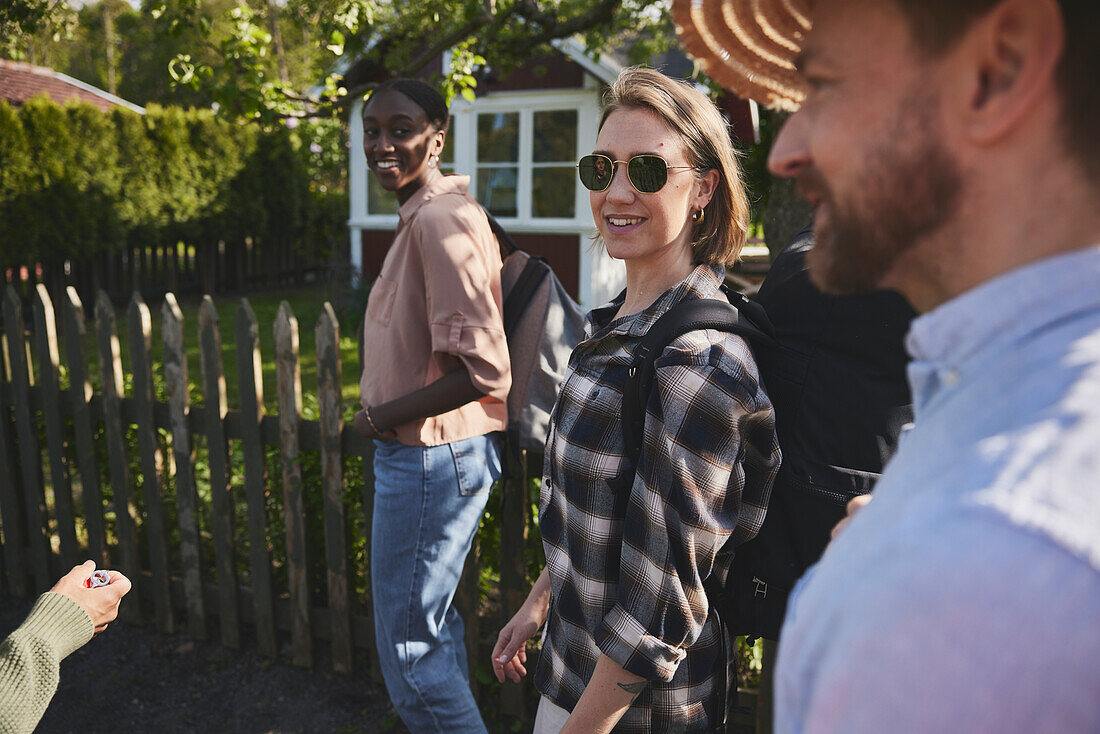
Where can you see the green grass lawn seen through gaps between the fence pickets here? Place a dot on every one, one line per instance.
(306, 304)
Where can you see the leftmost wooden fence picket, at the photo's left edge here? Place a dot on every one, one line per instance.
(30, 456)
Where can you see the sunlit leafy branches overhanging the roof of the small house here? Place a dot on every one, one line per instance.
(393, 39)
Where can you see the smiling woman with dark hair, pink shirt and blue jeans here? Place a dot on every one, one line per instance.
(434, 388)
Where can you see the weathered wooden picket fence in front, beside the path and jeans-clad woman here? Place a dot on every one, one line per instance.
(56, 514)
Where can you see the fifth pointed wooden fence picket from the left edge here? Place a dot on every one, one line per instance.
(152, 461)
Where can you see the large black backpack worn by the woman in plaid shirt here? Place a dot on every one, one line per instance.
(835, 371)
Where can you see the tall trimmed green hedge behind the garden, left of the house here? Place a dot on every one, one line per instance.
(75, 181)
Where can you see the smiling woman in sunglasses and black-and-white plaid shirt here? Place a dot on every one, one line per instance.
(631, 641)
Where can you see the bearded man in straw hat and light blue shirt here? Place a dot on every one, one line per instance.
(951, 154)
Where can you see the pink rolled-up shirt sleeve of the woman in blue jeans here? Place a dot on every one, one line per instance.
(463, 277)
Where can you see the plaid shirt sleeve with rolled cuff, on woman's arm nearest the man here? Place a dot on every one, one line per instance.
(707, 421)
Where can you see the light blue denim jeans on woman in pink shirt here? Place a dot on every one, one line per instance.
(428, 502)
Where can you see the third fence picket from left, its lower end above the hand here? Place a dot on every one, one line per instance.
(92, 497)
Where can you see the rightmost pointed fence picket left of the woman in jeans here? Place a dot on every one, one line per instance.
(336, 525)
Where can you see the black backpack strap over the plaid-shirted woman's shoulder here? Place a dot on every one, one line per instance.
(749, 322)
